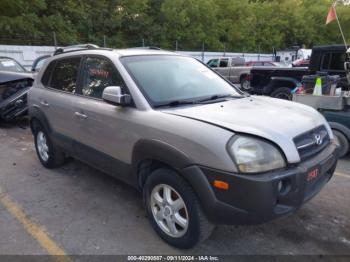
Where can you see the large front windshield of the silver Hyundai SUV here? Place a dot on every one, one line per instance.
(174, 79)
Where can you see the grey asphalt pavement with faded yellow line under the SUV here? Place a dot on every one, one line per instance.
(77, 210)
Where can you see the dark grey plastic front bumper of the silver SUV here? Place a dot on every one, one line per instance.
(255, 199)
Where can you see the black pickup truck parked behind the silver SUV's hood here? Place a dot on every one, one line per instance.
(279, 82)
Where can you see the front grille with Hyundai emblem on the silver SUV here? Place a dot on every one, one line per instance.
(312, 142)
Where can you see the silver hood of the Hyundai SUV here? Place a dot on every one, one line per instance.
(276, 120)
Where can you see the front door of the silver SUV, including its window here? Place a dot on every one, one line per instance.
(103, 136)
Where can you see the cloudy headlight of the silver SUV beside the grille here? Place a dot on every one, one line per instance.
(253, 155)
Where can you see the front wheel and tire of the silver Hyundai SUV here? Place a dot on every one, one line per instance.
(174, 210)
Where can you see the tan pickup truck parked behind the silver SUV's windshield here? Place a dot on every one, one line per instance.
(233, 69)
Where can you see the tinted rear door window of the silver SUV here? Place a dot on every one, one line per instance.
(64, 76)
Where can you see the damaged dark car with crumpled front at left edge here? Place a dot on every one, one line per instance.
(15, 82)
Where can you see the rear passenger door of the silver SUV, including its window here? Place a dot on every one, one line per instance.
(57, 96)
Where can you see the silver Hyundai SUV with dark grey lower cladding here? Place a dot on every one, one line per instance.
(201, 151)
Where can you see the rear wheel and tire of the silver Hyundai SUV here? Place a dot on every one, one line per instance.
(49, 155)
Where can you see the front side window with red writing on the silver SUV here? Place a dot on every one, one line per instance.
(98, 73)
